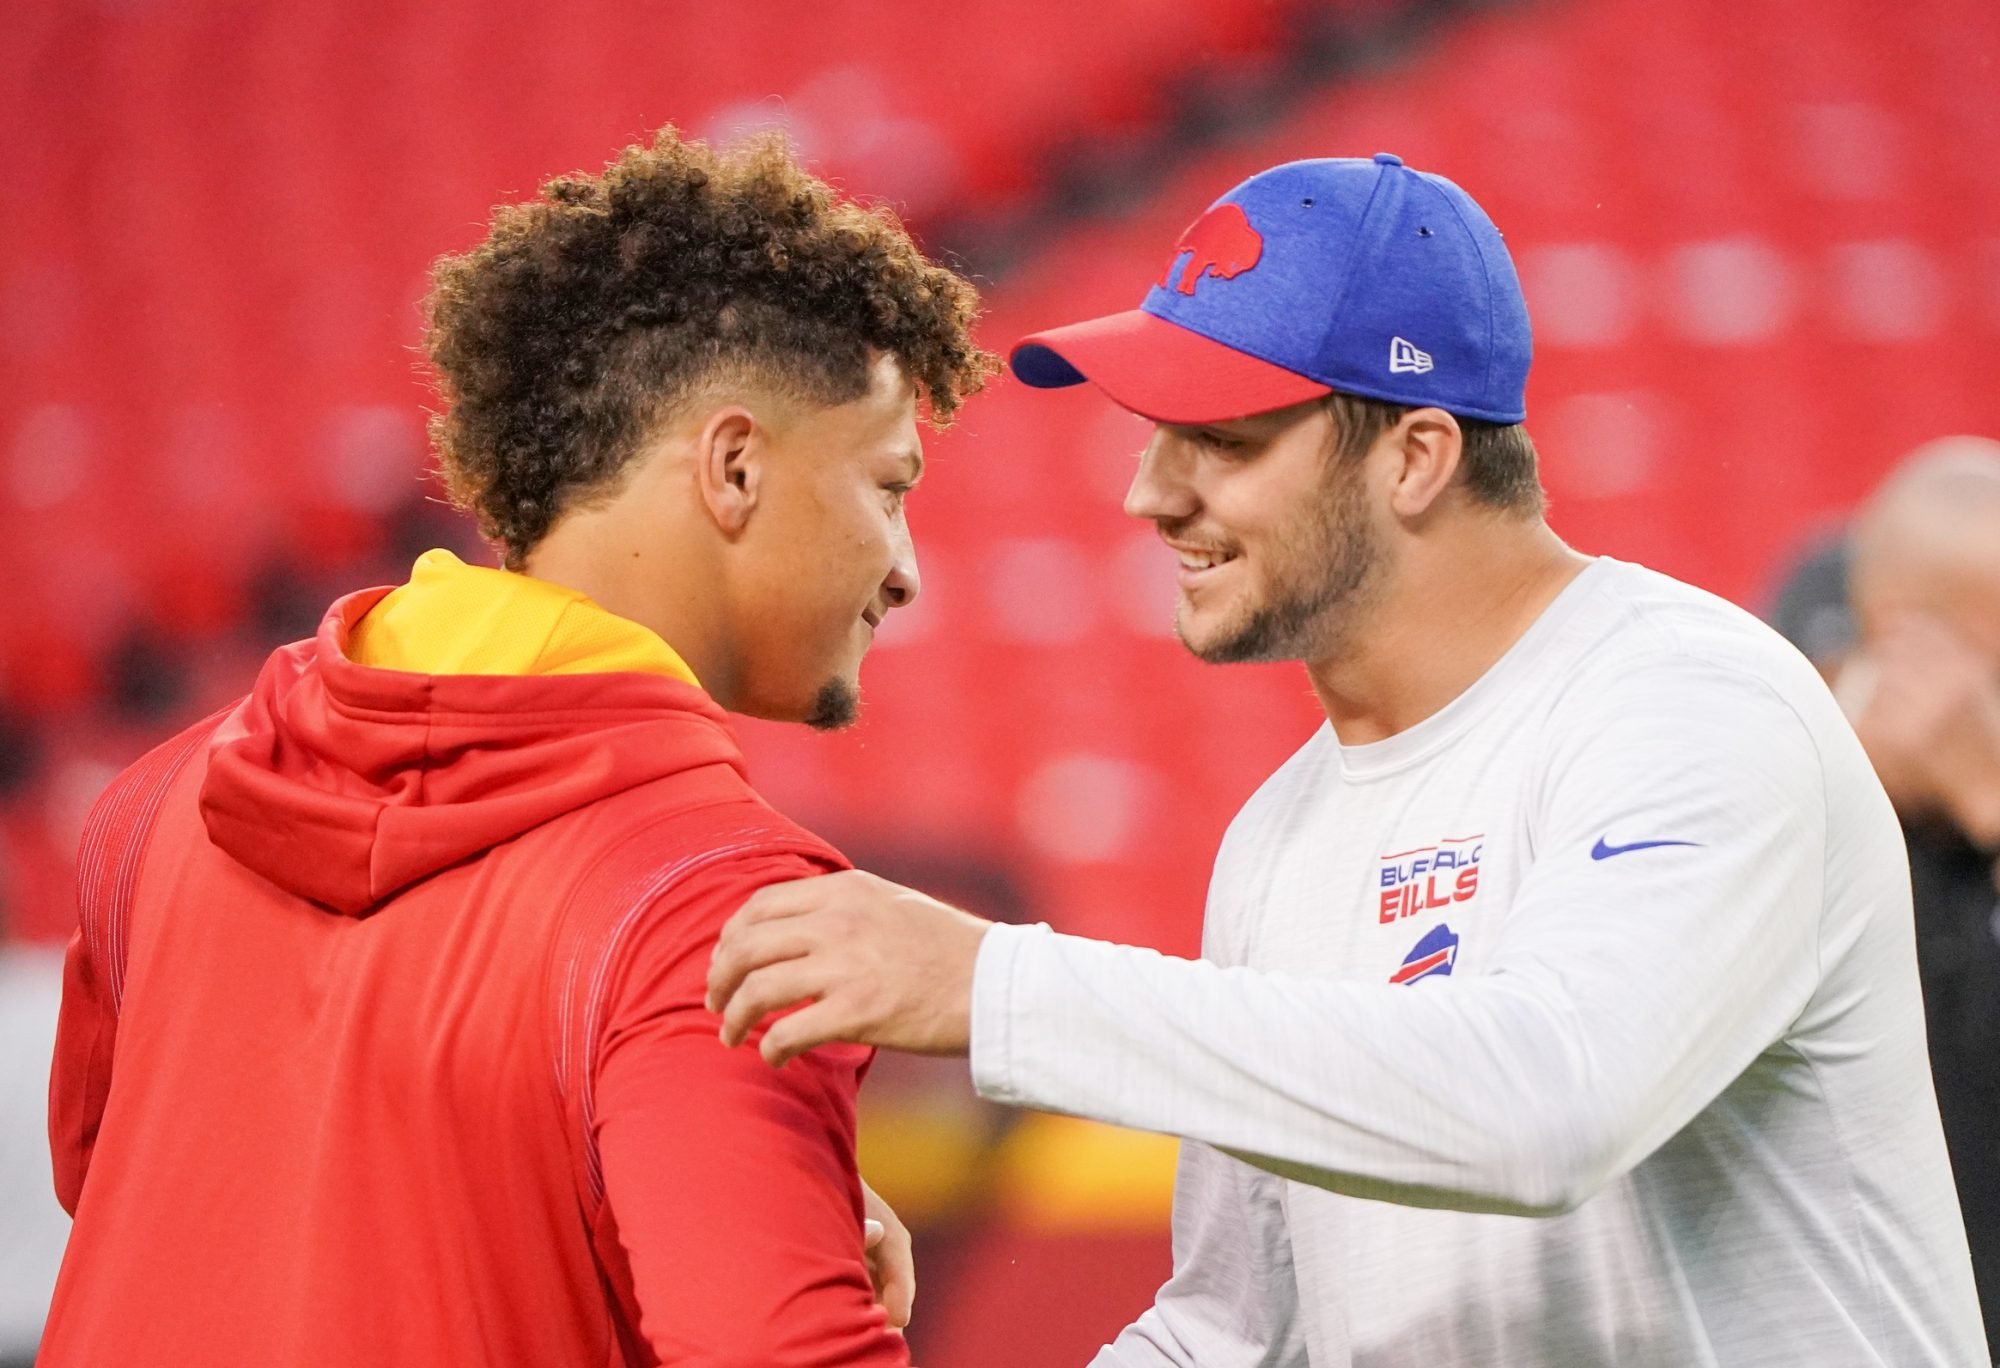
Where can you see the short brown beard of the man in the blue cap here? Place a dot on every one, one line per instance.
(1321, 577)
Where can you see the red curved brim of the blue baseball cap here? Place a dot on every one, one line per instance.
(1159, 371)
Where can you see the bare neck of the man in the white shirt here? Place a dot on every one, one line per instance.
(1453, 607)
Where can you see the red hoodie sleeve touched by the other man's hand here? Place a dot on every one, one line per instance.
(733, 1185)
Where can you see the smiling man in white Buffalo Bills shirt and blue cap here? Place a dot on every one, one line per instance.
(1559, 997)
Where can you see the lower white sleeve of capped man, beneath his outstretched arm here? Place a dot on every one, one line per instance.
(1233, 1301)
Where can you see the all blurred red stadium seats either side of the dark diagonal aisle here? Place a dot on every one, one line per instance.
(1761, 243)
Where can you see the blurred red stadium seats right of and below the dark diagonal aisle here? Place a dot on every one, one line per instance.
(1747, 309)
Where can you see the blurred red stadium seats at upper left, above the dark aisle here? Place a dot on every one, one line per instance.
(223, 217)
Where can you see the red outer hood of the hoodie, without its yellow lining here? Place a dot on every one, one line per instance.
(345, 783)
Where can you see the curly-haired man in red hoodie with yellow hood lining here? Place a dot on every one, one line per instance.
(383, 1033)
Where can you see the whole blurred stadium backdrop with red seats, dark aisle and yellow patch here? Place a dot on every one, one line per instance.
(1761, 247)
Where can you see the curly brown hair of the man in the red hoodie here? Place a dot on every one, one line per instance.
(591, 313)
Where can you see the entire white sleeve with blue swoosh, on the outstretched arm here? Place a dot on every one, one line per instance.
(1625, 993)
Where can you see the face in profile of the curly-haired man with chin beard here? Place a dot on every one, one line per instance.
(827, 555)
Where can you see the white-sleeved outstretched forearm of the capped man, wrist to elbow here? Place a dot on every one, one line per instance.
(1485, 1095)
